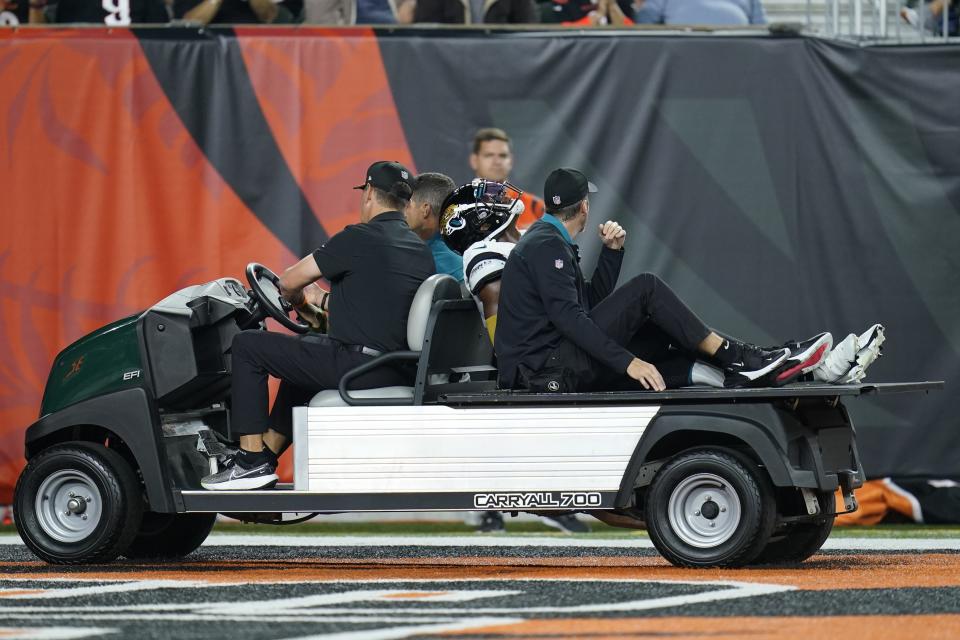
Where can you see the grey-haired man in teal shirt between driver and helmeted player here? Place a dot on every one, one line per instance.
(423, 217)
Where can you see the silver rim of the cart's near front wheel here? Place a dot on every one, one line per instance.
(68, 506)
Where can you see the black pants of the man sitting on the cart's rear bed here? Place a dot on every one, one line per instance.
(647, 318)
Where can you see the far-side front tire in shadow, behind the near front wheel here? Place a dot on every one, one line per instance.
(170, 535)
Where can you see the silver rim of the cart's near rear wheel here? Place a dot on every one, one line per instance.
(704, 510)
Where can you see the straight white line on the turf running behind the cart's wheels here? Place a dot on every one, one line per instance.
(255, 540)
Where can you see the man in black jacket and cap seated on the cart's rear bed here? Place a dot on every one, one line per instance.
(558, 332)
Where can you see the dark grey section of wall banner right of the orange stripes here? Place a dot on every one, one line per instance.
(782, 186)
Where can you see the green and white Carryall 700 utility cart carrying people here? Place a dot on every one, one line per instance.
(135, 413)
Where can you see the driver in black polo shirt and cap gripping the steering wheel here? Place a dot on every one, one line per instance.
(374, 269)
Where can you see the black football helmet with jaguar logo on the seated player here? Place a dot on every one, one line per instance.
(478, 211)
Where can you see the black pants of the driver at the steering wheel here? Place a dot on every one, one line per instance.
(304, 364)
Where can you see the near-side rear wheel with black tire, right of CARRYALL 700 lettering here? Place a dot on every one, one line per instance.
(688, 531)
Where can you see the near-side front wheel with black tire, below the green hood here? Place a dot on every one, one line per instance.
(109, 519)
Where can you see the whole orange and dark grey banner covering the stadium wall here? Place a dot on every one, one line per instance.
(783, 186)
